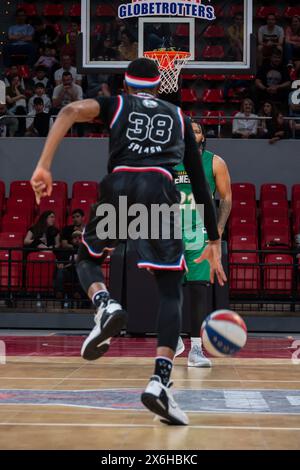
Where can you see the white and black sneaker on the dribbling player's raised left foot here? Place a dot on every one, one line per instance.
(109, 320)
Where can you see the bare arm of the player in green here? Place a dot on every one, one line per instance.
(223, 184)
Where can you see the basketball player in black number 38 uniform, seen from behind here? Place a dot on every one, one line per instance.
(148, 138)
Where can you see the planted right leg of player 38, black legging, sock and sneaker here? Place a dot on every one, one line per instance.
(157, 396)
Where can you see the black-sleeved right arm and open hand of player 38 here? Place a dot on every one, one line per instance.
(202, 195)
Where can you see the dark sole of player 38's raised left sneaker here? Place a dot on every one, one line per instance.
(99, 344)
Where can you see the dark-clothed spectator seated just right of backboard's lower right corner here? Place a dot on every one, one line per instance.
(273, 81)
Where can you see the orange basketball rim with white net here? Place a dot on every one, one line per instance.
(170, 64)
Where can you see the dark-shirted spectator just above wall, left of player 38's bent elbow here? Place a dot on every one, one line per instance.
(39, 123)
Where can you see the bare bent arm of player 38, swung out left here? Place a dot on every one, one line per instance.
(78, 111)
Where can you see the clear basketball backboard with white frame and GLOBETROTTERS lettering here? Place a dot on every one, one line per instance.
(217, 33)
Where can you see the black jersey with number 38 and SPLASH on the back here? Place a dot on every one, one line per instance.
(144, 131)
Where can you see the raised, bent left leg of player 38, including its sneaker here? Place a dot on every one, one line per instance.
(110, 317)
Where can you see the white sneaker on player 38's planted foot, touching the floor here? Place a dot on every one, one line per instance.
(158, 399)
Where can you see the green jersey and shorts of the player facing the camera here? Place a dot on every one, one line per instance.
(191, 221)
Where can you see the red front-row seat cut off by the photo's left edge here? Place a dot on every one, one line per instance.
(10, 270)
